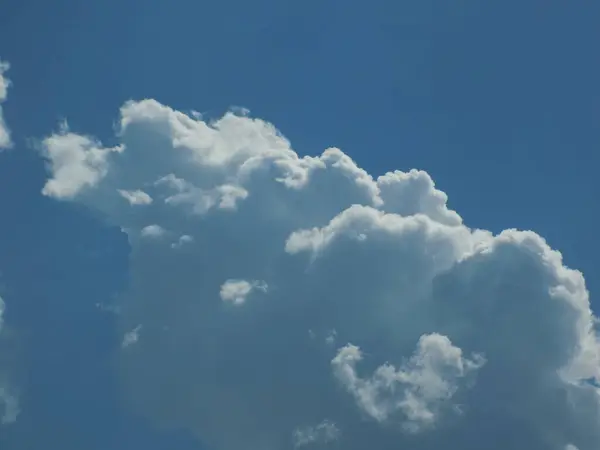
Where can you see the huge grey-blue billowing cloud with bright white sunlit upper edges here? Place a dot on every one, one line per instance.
(387, 322)
